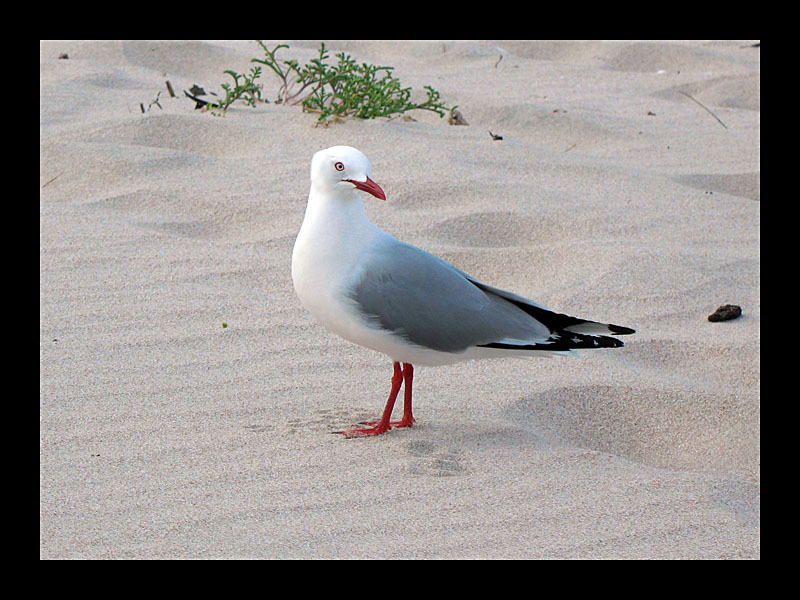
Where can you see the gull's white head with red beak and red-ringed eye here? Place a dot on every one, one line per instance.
(341, 168)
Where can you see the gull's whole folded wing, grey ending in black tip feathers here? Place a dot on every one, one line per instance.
(430, 303)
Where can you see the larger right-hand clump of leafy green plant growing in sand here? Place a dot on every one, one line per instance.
(345, 89)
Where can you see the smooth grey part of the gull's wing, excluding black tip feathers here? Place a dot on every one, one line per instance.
(432, 304)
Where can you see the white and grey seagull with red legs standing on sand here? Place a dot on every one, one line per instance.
(374, 290)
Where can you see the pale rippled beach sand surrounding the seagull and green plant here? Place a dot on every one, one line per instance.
(187, 399)
